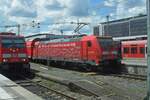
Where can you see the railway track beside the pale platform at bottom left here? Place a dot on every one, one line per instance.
(44, 91)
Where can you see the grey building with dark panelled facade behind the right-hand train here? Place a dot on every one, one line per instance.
(131, 26)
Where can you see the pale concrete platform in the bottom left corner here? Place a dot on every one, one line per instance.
(11, 91)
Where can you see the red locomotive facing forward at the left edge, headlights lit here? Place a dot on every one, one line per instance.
(13, 52)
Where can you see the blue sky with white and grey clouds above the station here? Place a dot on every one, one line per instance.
(56, 15)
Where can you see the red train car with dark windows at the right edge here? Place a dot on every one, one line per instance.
(134, 49)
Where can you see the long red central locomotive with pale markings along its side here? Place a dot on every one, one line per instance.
(90, 50)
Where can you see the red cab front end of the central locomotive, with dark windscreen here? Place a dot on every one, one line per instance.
(100, 50)
